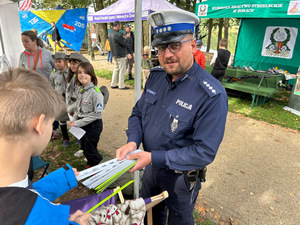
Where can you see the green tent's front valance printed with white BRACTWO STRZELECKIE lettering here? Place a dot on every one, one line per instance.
(248, 9)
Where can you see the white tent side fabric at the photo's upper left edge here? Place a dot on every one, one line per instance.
(10, 34)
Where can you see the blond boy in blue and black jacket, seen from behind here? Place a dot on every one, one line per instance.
(29, 106)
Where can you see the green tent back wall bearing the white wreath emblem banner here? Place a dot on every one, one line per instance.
(268, 43)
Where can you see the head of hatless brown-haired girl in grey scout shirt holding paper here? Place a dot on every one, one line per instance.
(83, 69)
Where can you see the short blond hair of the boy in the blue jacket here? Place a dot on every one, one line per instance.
(25, 95)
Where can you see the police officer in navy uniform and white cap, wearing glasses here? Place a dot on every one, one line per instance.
(180, 119)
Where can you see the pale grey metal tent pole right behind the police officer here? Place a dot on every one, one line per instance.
(137, 72)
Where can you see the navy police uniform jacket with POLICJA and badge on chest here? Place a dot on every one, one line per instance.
(181, 123)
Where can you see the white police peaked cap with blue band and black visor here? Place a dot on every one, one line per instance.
(172, 25)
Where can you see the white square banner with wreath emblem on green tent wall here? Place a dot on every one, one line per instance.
(279, 42)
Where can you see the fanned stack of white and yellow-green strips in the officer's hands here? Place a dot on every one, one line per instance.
(101, 176)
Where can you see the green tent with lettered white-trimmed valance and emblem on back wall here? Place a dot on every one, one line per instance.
(268, 35)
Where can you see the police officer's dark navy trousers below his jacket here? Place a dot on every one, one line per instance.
(178, 203)
